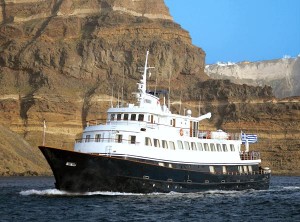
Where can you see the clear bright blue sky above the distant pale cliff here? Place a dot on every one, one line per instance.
(240, 30)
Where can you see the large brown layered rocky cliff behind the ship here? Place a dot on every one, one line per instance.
(66, 61)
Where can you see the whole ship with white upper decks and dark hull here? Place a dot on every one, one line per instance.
(143, 147)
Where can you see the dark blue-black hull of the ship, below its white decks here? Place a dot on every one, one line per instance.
(78, 172)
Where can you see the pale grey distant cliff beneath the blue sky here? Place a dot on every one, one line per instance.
(283, 75)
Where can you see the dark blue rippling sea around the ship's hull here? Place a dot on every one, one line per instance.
(36, 199)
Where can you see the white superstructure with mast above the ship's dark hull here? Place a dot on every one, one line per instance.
(149, 131)
